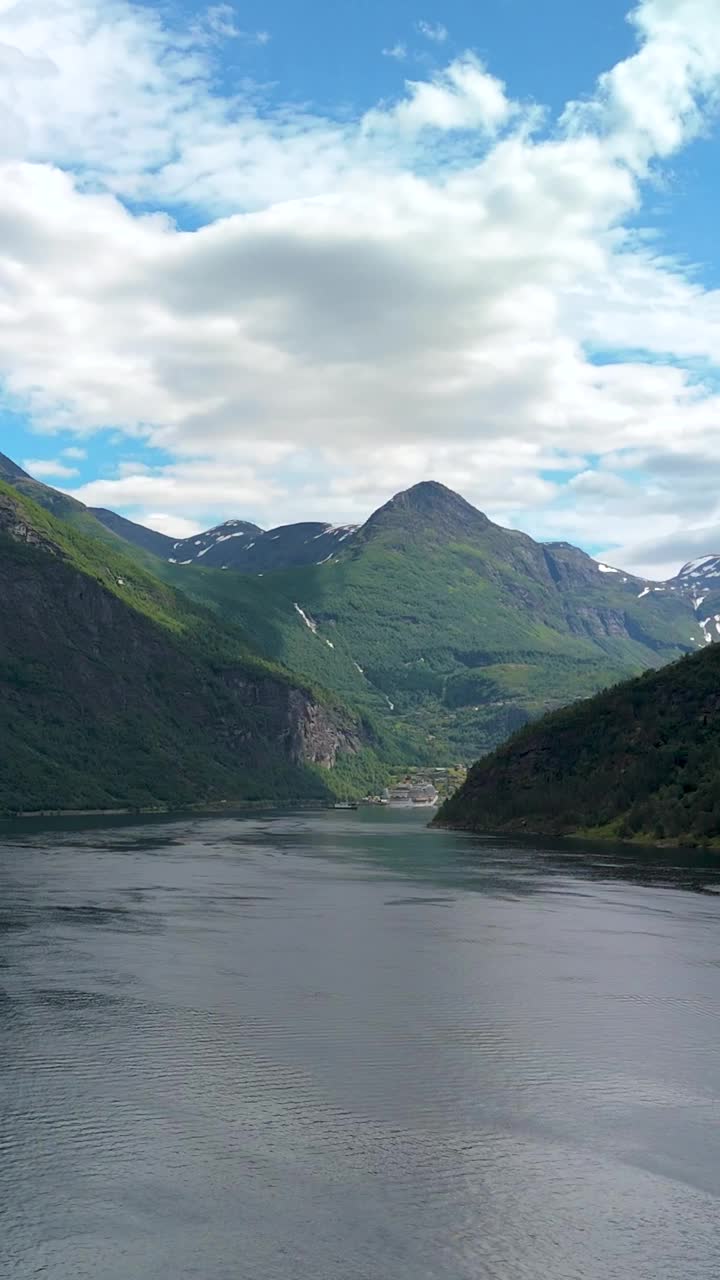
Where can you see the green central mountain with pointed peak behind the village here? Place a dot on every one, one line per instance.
(450, 628)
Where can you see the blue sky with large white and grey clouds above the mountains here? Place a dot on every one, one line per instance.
(279, 262)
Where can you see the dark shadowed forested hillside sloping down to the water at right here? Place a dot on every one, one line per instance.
(641, 761)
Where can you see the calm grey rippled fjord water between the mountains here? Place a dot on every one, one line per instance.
(343, 1045)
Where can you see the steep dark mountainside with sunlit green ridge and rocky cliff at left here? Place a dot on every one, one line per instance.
(119, 692)
